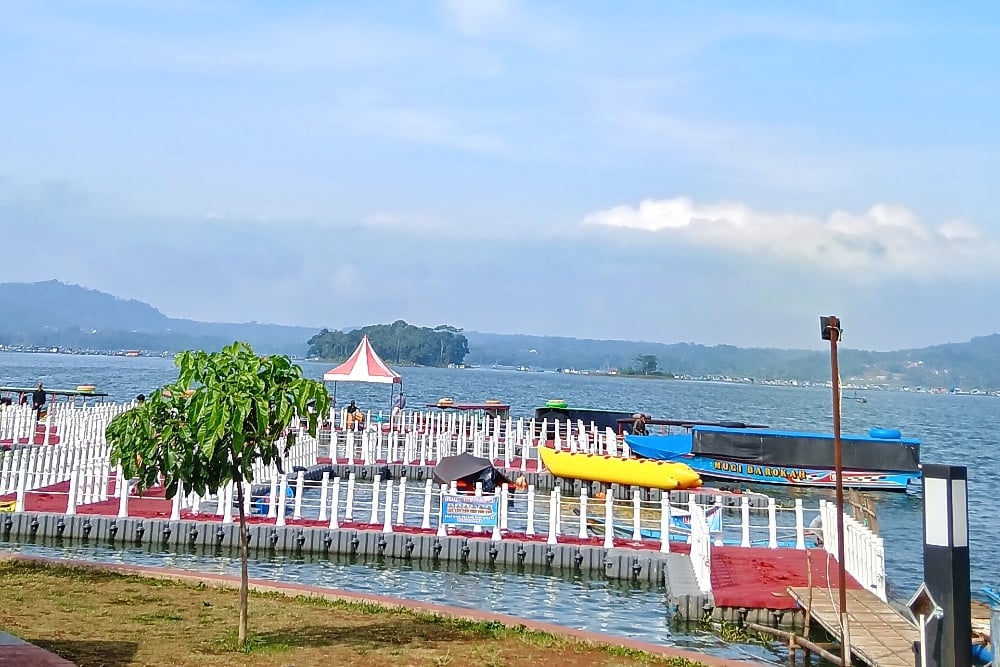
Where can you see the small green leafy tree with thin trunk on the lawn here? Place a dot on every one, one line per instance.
(226, 410)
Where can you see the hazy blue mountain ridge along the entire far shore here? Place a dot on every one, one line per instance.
(52, 313)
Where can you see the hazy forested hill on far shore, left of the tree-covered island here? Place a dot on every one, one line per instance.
(54, 314)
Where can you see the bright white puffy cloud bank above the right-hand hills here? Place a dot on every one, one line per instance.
(884, 241)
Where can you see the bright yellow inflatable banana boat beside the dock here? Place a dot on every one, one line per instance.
(665, 475)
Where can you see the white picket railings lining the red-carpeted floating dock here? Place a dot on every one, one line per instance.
(77, 452)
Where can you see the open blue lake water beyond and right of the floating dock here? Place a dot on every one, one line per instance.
(957, 430)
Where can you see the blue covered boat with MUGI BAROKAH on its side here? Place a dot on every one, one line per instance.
(881, 460)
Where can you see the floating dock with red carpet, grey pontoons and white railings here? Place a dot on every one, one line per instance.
(65, 488)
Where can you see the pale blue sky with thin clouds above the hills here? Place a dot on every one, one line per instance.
(665, 171)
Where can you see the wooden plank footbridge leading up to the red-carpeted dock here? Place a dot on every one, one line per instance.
(880, 636)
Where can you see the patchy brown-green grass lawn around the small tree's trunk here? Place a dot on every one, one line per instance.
(101, 619)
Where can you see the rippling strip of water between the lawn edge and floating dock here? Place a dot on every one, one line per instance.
(577, 600)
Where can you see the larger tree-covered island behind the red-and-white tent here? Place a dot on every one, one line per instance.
(398, 343)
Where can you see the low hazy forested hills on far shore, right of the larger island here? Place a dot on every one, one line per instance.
(971, 365)
